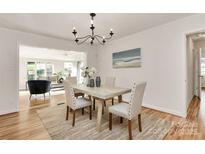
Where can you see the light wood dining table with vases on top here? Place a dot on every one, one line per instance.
(101, 93)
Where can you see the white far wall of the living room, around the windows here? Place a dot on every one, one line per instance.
(58, 66)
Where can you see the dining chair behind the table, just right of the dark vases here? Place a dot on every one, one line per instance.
(109, 82)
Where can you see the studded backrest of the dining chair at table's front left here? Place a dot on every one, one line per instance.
(69, 94)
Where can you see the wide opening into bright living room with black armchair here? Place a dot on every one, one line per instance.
(36, 63)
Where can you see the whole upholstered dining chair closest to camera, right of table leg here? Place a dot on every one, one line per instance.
(129, 110)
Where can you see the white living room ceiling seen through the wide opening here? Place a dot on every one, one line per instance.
(50, 54)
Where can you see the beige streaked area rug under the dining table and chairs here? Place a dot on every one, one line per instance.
(153, 128)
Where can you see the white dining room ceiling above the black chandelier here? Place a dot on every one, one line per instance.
(60, 25)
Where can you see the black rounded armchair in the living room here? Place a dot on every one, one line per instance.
(39, 87)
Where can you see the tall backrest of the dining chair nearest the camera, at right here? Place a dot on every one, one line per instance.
(136, 99)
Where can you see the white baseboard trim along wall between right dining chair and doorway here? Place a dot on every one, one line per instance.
(174, 112)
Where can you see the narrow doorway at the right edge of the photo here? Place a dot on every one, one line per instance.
(195, 44)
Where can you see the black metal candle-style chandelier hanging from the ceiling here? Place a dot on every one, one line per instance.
(92, 36)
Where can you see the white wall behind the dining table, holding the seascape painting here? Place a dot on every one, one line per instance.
(163, 63)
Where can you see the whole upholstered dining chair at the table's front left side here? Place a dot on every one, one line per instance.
(75, 103)
